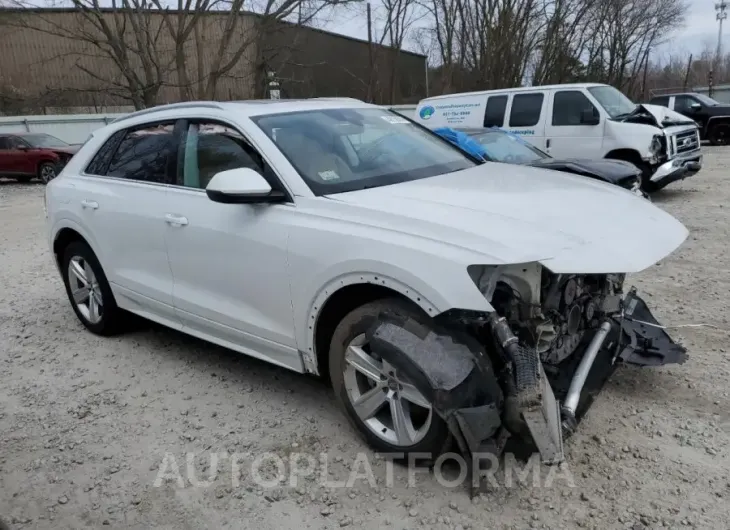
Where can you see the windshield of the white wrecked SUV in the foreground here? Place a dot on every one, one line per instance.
(339, 150)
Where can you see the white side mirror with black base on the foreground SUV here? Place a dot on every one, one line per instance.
(241, 186)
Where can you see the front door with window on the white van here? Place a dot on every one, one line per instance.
(574, 126)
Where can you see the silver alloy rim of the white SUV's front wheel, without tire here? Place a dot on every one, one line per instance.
(388, 405)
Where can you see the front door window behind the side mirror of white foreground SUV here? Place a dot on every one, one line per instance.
(211, 148)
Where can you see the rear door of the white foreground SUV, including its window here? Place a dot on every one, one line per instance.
(121, 198)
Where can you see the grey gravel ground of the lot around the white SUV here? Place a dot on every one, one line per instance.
(86, 423)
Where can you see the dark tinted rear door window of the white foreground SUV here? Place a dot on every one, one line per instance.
(146, 154)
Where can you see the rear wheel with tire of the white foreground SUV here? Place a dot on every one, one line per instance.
(107, 319)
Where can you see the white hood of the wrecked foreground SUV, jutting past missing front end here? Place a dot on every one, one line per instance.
(518, 214)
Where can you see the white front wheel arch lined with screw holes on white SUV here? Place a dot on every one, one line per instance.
(341, 296)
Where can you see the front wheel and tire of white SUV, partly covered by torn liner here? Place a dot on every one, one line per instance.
(386, 410)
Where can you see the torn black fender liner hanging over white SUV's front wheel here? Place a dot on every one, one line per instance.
(451, 371)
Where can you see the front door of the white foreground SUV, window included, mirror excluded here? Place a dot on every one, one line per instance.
(229, 260)
